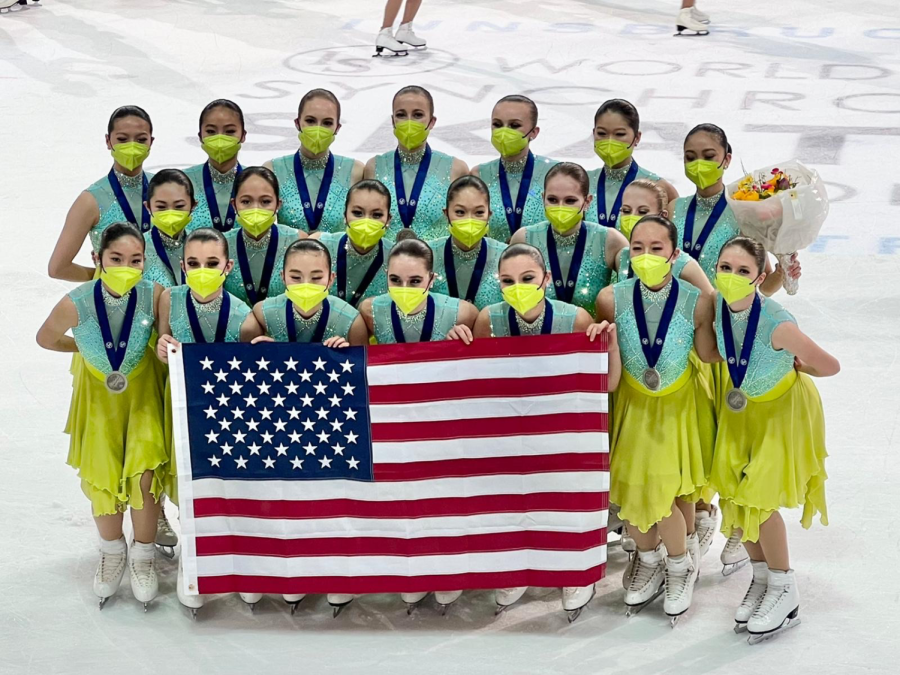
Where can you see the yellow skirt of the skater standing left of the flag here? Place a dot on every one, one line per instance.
(115, 438)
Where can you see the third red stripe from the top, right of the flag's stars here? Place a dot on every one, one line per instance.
(526, 425)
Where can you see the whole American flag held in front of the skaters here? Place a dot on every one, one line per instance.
(397, 468)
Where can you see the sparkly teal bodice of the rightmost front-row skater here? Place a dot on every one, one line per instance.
(767, 365)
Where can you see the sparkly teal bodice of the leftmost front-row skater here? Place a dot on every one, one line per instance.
(87, 333)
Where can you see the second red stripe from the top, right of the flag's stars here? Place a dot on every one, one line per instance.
(506, 387)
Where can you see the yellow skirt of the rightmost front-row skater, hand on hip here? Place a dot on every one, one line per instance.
(770, 456)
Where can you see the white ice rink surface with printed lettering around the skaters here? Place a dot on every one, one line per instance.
(814, 79)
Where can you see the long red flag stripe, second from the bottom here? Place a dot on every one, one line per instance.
(395, 546)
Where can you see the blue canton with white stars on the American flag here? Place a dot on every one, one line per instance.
(277, 412)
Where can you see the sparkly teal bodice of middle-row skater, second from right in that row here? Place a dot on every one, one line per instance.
(594, 274)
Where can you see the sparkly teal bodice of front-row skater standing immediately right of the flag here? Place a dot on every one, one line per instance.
(679, 340)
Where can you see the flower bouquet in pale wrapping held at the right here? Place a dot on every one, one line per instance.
(783, 206)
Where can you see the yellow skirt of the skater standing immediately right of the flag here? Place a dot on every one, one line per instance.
(661, 447)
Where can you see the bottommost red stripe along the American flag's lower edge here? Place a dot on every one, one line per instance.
(393, 584)
